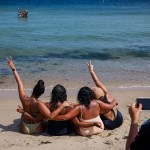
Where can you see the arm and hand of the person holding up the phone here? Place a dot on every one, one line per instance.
(135, 115)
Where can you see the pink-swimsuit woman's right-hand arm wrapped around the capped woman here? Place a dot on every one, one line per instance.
(104, 107)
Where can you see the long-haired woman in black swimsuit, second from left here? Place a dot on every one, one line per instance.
(58, 96)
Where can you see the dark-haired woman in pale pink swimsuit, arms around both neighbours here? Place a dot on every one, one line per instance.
(87, 110)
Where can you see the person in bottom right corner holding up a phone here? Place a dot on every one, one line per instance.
(138, 140)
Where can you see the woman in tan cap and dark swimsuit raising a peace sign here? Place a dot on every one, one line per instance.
(113, 118)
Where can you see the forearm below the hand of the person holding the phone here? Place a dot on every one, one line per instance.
(132, 134)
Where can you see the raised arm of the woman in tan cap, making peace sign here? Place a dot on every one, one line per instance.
(95, 78)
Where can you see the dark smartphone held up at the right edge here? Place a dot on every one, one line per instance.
(145, 101)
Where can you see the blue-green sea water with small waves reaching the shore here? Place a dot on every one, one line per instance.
(55, 42)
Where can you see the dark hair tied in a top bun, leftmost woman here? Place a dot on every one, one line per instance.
(39, 88)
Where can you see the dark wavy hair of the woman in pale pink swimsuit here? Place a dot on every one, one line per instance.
(85, 95)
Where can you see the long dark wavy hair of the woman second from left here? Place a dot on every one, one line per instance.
(58, 94)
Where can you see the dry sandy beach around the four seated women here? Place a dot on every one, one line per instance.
(113, 140)
